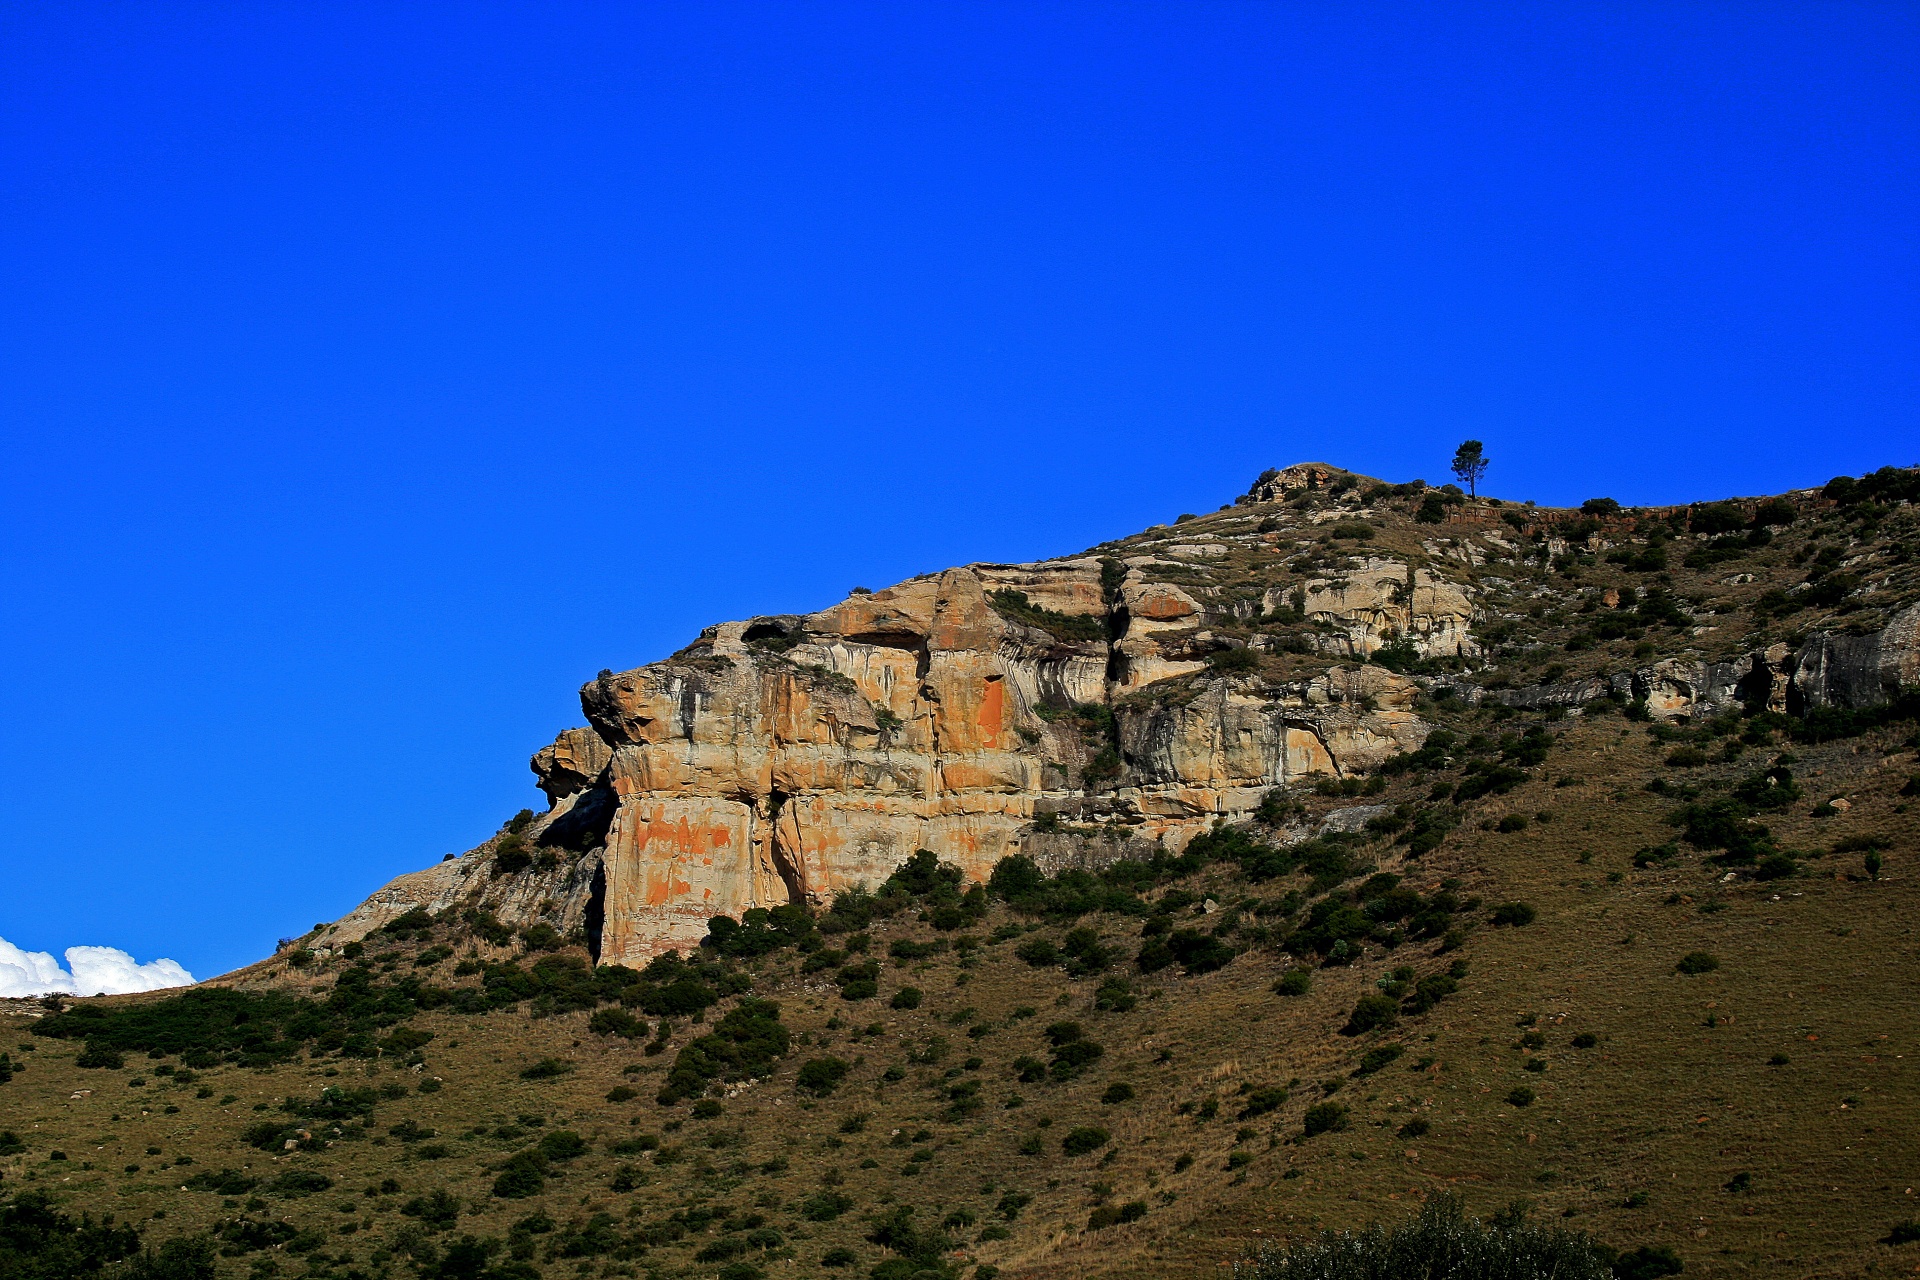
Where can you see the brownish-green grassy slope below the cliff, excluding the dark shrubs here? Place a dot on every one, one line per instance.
(1815, 968)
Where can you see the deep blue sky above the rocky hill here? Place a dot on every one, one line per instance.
(373, 375)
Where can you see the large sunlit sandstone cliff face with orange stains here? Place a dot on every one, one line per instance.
(790, 759)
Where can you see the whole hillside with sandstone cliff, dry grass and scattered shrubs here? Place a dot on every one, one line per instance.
(1520, 853)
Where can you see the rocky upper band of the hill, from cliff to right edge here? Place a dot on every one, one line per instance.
(1138, 694)
